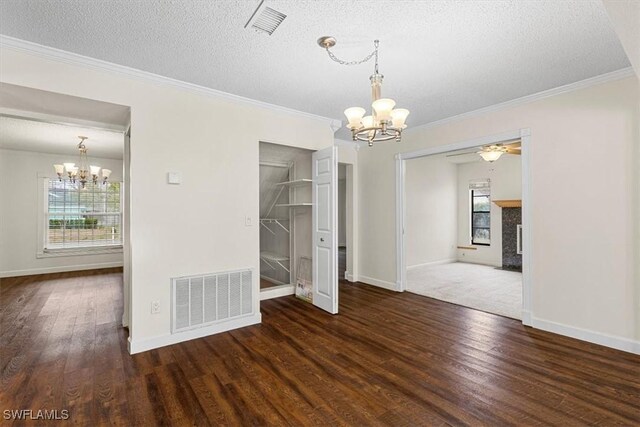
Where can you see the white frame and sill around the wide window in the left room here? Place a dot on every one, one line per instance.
(43, 228)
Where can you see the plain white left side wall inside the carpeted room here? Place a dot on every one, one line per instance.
(431, 211)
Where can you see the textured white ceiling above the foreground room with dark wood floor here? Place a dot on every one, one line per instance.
(439, 58)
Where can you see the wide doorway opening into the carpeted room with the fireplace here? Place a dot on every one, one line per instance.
(459, 218)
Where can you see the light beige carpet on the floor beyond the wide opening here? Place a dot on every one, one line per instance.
(477, 286)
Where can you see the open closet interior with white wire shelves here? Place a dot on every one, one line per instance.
(285, 220)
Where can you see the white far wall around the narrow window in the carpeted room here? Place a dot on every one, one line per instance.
(506, 184)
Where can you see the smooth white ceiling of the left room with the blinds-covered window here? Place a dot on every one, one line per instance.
(28, 135)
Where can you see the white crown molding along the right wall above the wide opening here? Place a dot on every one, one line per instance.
(582, 84)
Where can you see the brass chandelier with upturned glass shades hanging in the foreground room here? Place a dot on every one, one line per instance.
(385, 122)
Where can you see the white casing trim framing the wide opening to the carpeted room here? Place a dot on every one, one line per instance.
(525, 137)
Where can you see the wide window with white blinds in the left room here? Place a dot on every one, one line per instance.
(82, 218)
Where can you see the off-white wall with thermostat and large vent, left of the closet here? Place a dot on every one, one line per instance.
(198, 226)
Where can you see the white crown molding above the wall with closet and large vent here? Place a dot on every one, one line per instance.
(98, 64)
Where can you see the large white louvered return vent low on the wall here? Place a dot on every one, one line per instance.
(199, 301)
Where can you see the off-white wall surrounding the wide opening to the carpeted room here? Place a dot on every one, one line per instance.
(583, 143)
